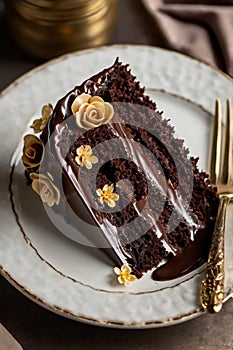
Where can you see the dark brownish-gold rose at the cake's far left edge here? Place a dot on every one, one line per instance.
(32, 151)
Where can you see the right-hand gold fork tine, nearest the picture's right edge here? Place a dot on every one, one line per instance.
(228, 151)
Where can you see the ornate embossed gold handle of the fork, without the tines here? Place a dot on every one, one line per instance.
(212, 287)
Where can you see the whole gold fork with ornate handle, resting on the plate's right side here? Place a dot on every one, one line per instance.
(212, 286)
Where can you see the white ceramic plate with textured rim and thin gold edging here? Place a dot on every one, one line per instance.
(74, 280)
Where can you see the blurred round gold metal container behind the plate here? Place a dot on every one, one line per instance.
(49, 28)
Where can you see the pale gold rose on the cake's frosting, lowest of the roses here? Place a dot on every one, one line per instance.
(43, 185)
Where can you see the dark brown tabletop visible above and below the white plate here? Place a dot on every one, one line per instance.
(38, 329)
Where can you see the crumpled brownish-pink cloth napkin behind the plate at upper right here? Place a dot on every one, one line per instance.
(201, 29)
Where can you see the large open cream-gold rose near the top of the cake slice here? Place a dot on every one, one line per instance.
(91, 112)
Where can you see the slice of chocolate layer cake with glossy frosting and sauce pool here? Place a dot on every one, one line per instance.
(112, 159)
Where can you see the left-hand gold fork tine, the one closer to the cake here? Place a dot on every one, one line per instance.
(216, 145)
